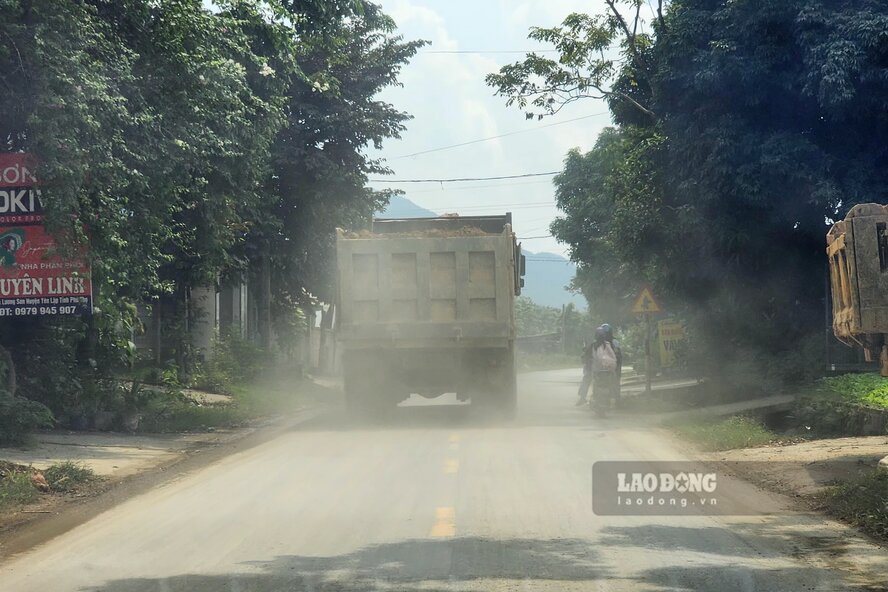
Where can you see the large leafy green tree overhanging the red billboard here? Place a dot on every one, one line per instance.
(148, 133)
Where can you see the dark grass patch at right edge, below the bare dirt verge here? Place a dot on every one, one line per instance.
(862, 503)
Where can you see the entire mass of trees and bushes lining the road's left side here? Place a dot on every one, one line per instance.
(202, 144)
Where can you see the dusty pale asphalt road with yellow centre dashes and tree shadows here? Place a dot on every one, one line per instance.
(438, 500)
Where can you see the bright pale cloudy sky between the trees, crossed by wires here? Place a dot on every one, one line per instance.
(451, 104)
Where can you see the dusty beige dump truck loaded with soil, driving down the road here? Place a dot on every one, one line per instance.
(426, 306)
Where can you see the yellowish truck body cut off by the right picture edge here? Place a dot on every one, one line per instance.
(857, 248)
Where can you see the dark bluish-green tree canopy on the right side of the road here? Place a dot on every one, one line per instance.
(748, 126)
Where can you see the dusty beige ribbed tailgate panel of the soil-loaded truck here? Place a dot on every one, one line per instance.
(417, 288)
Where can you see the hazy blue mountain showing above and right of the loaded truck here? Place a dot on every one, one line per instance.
(545, 275)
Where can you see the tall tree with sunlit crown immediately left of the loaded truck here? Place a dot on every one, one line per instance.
(320, 167)
